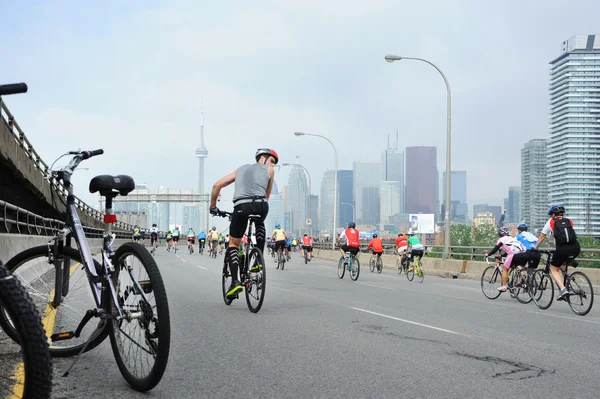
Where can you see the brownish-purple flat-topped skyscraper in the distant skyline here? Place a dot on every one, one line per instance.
(421, 180)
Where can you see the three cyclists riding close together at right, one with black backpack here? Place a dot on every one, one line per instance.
(522, 250)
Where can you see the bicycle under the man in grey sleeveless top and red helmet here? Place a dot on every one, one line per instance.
(252, 270)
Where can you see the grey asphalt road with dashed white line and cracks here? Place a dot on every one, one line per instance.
(382, 336)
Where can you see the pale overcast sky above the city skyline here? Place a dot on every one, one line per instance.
(131, 78)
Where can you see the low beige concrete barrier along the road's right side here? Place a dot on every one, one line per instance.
(448, 268)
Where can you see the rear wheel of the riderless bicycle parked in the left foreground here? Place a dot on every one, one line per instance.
(140, 345)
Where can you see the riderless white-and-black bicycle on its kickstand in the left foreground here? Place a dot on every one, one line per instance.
(124, 295)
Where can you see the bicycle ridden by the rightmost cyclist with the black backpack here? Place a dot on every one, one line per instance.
(580, 296)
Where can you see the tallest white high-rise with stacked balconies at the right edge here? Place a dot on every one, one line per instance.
(574, 140)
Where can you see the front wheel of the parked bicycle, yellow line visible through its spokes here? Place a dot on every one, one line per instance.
(38, 277)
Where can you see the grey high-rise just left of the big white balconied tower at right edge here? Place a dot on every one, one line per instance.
(534, 187)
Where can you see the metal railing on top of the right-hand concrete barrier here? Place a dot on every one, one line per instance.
(588, 257)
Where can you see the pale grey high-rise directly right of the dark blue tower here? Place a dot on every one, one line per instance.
(366, 192)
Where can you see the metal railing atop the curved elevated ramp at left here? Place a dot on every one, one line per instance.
(44, 169)
